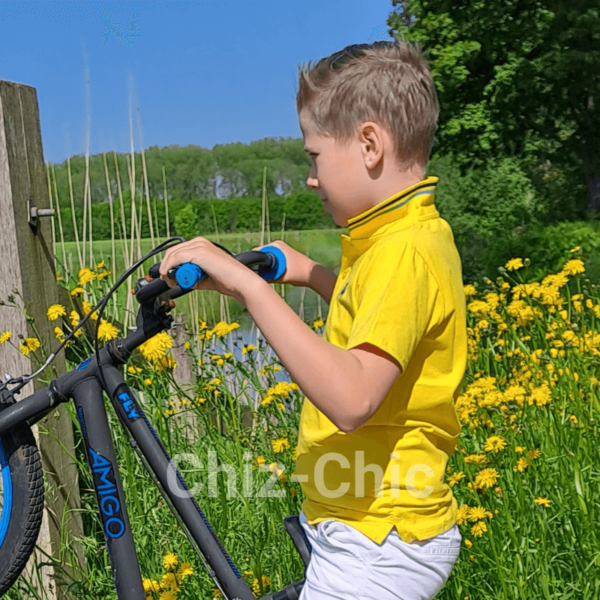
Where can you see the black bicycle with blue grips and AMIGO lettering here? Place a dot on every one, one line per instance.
(21, 490)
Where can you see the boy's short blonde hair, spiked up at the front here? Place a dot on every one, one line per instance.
(385, 82)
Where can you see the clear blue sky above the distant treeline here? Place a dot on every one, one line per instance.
(201, 73)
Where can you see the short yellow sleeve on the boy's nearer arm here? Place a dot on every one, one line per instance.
(398, 301)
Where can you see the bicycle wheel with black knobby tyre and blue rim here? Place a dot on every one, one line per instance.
(21, 502)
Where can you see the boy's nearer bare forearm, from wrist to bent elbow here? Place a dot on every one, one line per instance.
(329, 376)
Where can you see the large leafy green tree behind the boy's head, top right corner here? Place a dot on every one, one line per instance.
(517, 78)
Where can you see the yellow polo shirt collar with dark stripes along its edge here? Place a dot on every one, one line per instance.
(392, 209)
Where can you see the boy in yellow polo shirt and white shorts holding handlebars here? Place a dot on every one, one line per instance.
(378, 423)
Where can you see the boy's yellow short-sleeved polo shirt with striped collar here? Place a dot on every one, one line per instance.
(399, 288)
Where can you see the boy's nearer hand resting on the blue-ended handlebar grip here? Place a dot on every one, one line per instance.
(225, 274)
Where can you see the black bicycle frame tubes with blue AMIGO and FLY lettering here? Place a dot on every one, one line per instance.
(83, 386)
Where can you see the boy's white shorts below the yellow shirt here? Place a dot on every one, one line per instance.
(347, 564)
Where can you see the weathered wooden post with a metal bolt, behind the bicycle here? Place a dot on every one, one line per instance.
(27, 264)
